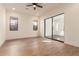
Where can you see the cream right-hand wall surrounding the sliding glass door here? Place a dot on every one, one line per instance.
(71, 12)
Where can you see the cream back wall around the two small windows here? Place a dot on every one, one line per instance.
(25, 26)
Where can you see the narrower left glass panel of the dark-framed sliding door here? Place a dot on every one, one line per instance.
(48, 28)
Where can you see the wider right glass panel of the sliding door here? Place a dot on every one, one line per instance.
(58, 27)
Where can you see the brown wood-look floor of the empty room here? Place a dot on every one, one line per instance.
(37, 47)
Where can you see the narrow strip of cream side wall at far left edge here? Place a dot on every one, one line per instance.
(2, 24)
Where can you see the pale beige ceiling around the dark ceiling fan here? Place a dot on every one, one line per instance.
(22, 8)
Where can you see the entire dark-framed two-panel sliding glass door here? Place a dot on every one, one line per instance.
(54, 27)
